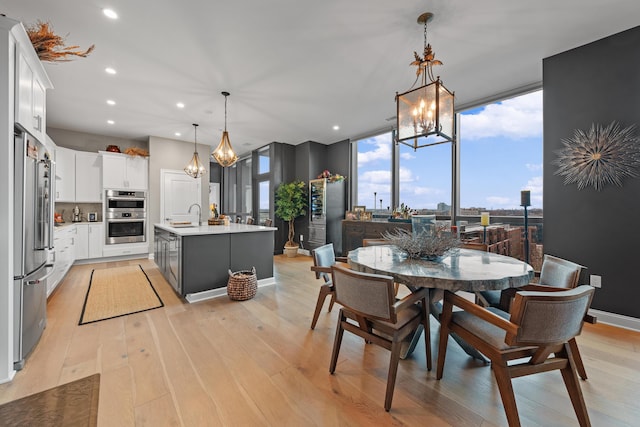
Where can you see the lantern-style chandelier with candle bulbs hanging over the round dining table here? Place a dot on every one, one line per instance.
(427, 111)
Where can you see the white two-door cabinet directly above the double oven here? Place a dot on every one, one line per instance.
(121, 171)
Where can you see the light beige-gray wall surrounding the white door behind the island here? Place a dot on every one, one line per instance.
(171, 154)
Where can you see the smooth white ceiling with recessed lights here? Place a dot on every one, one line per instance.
(294, 68)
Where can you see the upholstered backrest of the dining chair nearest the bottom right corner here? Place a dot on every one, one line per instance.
(548, 318)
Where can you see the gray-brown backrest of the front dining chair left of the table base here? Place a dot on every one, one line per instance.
(368, 295)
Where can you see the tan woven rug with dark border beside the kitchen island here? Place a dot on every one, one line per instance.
(119, 291)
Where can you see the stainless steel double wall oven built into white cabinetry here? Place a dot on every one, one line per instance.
(125, 216)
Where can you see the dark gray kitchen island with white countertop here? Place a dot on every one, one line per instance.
(196, 260)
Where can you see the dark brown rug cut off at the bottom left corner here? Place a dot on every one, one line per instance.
(71, 404)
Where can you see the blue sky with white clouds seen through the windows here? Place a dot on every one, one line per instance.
(500, 155)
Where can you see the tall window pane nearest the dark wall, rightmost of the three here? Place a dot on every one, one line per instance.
(500, 155)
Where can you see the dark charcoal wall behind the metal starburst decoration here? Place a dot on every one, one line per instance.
(596, 83)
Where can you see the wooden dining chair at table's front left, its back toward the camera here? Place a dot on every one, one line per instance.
(370, 311)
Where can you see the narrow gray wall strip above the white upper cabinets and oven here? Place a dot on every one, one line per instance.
(90, 142)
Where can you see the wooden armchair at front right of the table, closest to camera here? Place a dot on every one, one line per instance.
(541, 324)
